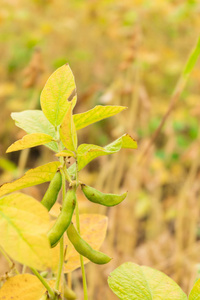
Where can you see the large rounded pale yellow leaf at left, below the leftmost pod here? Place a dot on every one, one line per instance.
(24, 223)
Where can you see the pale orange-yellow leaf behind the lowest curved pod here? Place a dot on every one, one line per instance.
(93, 231)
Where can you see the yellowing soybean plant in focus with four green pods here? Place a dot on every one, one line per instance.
(40, 243)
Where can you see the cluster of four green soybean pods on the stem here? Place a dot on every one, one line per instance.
(64, 220)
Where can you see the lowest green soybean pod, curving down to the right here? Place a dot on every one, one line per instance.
(84, 248)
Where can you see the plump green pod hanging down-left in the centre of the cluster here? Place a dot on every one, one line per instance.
(64, 218)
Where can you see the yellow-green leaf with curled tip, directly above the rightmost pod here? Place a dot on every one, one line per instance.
(88, 152)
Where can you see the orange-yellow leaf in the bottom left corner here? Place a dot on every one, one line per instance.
(22, 287)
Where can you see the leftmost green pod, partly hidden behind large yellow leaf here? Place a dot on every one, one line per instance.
(51, 194)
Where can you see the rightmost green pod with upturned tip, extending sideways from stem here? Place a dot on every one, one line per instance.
(104, 199)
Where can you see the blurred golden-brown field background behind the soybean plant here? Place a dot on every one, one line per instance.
(130, 53)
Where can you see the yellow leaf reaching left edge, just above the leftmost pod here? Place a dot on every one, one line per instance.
(32, 177)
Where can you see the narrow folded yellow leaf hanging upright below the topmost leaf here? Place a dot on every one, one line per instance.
(68, 131)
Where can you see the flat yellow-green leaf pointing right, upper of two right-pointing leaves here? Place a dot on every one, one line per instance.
(96, 114)
